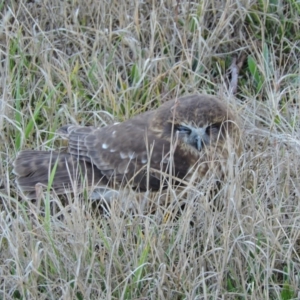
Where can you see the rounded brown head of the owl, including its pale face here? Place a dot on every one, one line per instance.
(201, 122)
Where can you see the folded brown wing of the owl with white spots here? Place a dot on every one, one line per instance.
(123, 151)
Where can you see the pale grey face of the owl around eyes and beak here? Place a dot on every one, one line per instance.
(198, 137)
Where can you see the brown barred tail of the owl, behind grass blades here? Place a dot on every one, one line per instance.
(60, 172)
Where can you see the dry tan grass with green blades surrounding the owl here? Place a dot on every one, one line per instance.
(91, 62)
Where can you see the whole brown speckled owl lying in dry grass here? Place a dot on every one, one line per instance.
(182, 135)
